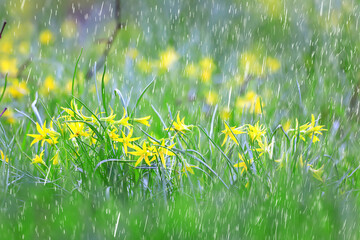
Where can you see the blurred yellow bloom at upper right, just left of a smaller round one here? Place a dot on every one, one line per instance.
(251, 65)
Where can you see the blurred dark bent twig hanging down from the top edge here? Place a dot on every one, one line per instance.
(110, 40)
